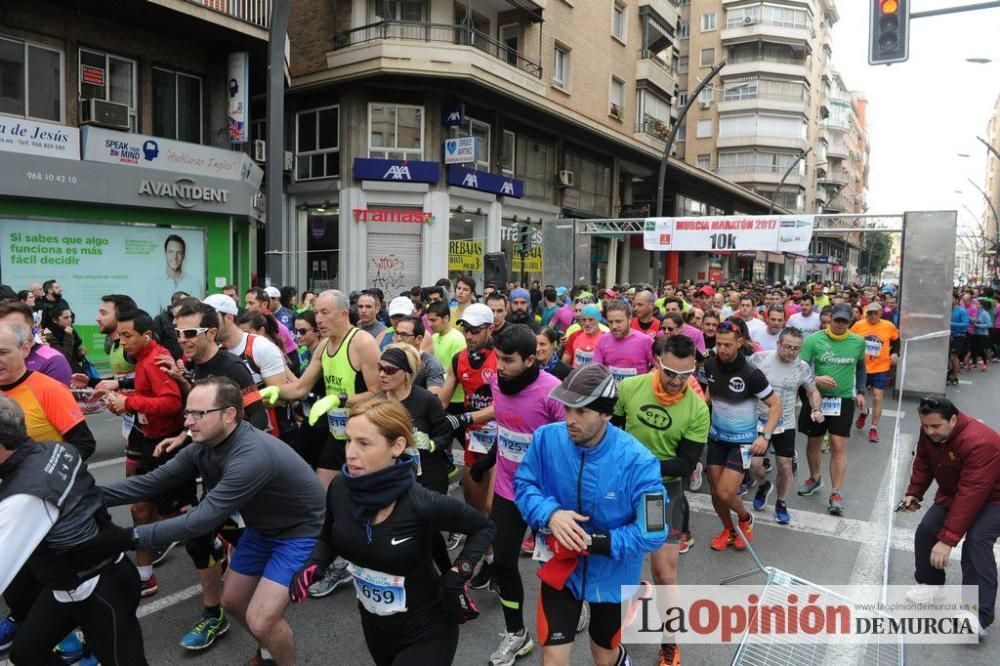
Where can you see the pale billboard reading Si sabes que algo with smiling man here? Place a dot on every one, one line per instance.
(90, 260)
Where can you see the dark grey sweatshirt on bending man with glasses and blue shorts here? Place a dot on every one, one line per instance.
(251, 472)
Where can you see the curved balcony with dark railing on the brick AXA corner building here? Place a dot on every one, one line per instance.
(431, 49)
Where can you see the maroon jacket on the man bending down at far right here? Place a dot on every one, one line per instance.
(967, 470)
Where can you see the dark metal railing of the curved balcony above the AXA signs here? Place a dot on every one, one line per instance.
(441, 33)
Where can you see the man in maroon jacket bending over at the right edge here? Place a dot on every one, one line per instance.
(963, 456)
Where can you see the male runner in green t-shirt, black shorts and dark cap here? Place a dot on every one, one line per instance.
(837, 357)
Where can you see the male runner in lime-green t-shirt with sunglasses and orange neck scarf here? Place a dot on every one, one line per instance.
(662, 411)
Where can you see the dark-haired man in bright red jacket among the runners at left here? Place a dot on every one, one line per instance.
(150, 414)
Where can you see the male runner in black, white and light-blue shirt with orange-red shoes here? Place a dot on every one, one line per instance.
(733, 388)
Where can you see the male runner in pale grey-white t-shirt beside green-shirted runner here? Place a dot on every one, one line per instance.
(786, 373)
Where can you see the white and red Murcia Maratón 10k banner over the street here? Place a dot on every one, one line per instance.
(765, 233)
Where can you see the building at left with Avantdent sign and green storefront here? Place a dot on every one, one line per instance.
(115, 127)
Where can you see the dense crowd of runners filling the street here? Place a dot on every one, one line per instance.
(298, 443)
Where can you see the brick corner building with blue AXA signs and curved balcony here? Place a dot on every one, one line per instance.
(562, 107)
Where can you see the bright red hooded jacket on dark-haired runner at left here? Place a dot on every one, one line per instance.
(157, 398)
